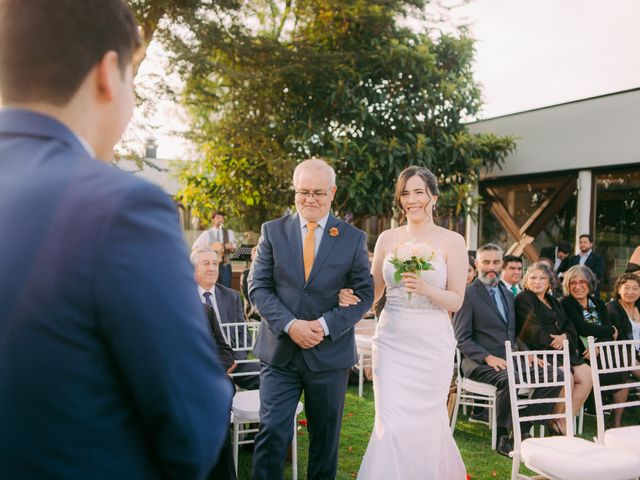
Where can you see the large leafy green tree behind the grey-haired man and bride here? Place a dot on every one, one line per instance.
(341, 79)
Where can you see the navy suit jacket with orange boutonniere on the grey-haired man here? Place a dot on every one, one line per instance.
(278, 290)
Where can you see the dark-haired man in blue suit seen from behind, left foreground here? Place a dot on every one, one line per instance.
(107, 367)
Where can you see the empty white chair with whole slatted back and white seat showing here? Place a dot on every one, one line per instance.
(565, 457)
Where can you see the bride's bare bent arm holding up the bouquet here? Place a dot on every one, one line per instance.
(457, 261)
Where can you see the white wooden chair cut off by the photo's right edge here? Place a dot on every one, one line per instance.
(614, 357)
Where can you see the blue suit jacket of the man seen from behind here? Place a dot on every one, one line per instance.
(107, 366)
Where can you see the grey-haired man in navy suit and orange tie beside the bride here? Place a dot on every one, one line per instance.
(306, 342)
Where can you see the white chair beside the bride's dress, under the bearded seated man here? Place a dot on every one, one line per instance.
(470, 393)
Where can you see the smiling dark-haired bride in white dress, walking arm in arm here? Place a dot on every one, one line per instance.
(414, 344)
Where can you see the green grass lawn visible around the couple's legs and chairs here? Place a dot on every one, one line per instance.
(474, 441)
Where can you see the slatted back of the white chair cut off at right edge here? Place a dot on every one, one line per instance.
(609, 358)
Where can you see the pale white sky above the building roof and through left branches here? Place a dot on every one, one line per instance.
(530, 54)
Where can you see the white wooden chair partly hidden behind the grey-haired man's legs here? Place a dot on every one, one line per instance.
(241, 336)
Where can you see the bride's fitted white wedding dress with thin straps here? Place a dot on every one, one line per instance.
(413, 352)
